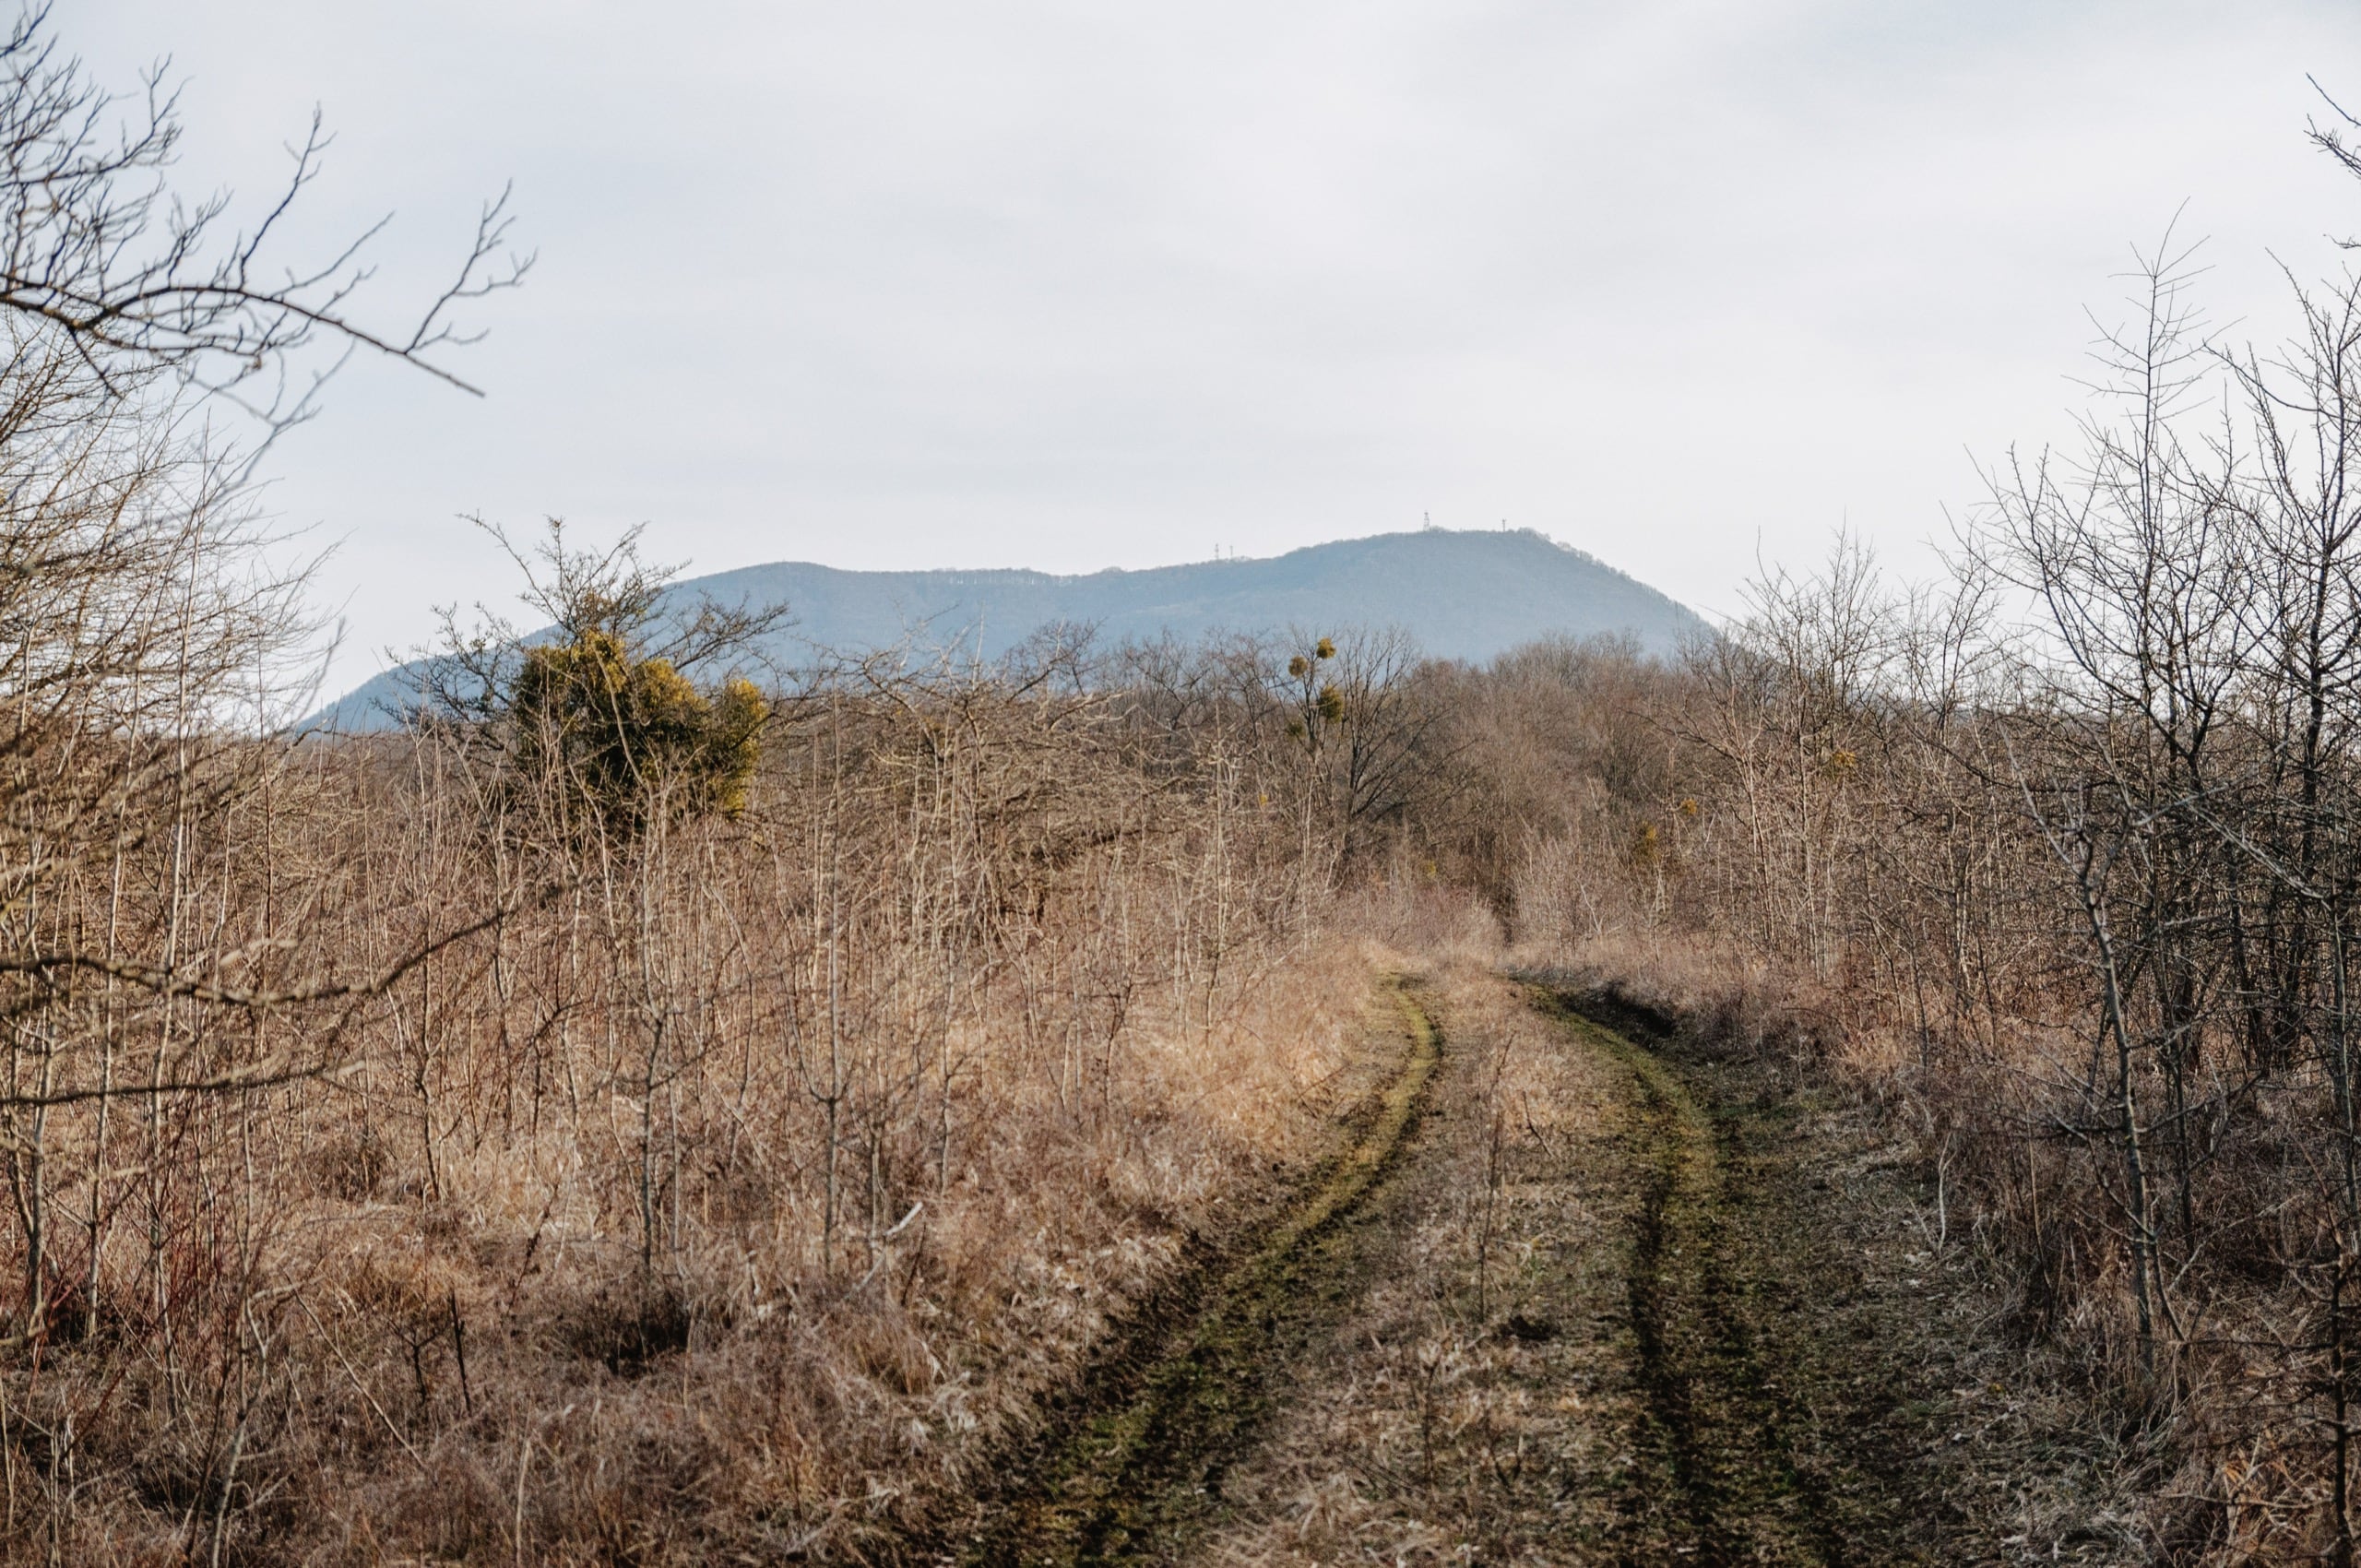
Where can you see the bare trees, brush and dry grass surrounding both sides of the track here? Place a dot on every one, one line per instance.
(381, 1116)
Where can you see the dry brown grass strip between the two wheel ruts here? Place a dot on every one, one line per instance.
(1432, 1427)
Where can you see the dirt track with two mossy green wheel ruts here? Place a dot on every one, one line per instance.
(1557, 1300)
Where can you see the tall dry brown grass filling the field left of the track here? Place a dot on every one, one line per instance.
(735, 1198)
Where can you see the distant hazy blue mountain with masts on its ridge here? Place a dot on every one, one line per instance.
(1460, 594)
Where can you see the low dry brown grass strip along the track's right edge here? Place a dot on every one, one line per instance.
(2067, 1453)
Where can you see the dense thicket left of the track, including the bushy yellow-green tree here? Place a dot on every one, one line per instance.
(622, 1116)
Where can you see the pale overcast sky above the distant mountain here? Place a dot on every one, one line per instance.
(1073, 287)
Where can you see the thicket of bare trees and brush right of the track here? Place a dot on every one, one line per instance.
(2060, 861)
